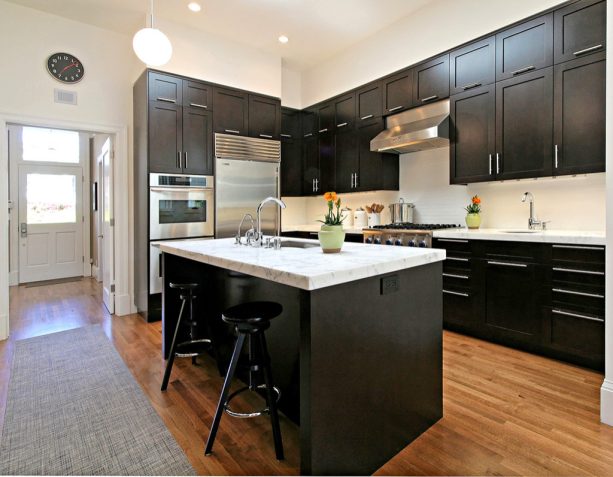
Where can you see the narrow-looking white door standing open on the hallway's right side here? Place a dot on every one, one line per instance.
(108, 228)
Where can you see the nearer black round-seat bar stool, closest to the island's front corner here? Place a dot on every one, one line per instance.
(251, 320)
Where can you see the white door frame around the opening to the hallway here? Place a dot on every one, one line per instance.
(123, 302)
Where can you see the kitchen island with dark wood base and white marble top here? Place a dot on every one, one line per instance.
(357, 351)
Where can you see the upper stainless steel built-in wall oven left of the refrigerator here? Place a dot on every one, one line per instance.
(181, 206)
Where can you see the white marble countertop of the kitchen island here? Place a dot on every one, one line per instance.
(305, 268)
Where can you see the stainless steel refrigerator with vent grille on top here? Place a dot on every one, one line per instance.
(246, 172)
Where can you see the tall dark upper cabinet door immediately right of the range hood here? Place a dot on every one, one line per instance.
(473, 135)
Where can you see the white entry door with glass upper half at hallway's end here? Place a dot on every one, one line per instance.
(50, 222)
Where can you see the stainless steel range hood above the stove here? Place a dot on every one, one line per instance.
(418, 129)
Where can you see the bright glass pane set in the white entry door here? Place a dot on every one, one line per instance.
(51, 199)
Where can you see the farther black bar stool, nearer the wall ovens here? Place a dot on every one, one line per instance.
(192, 347)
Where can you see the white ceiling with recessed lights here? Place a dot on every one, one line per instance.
(317, 29)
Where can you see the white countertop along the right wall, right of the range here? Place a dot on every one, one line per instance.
(519, 235)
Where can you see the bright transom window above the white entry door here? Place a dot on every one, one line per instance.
(50, 145)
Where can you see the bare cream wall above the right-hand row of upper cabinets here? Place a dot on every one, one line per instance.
(435, 28)
